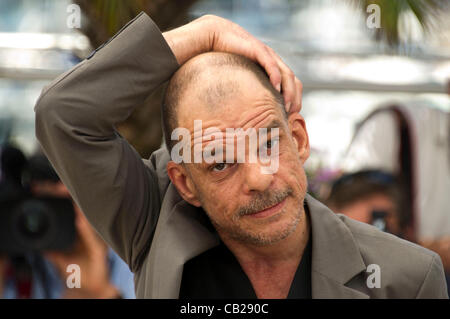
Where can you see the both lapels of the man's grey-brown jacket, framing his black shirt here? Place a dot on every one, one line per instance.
(184, 232)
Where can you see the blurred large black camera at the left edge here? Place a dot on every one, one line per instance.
(29, 223)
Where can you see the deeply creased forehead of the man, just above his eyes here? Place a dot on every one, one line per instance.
(231, 131)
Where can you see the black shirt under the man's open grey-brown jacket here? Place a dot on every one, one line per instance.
(217, 274)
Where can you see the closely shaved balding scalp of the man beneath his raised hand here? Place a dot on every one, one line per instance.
(210, 79)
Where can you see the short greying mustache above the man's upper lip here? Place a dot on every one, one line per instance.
(264, 200)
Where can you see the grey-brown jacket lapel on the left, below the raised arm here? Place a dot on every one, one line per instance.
(183, 232)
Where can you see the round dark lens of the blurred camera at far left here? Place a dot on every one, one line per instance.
(33, 222)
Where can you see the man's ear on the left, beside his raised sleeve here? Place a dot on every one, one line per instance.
(183, 183)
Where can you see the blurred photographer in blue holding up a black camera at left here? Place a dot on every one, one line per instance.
(43, 274)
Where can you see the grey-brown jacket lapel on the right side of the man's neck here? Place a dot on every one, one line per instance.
(335, 256)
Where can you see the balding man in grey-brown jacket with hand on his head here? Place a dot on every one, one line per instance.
(220, 221)
